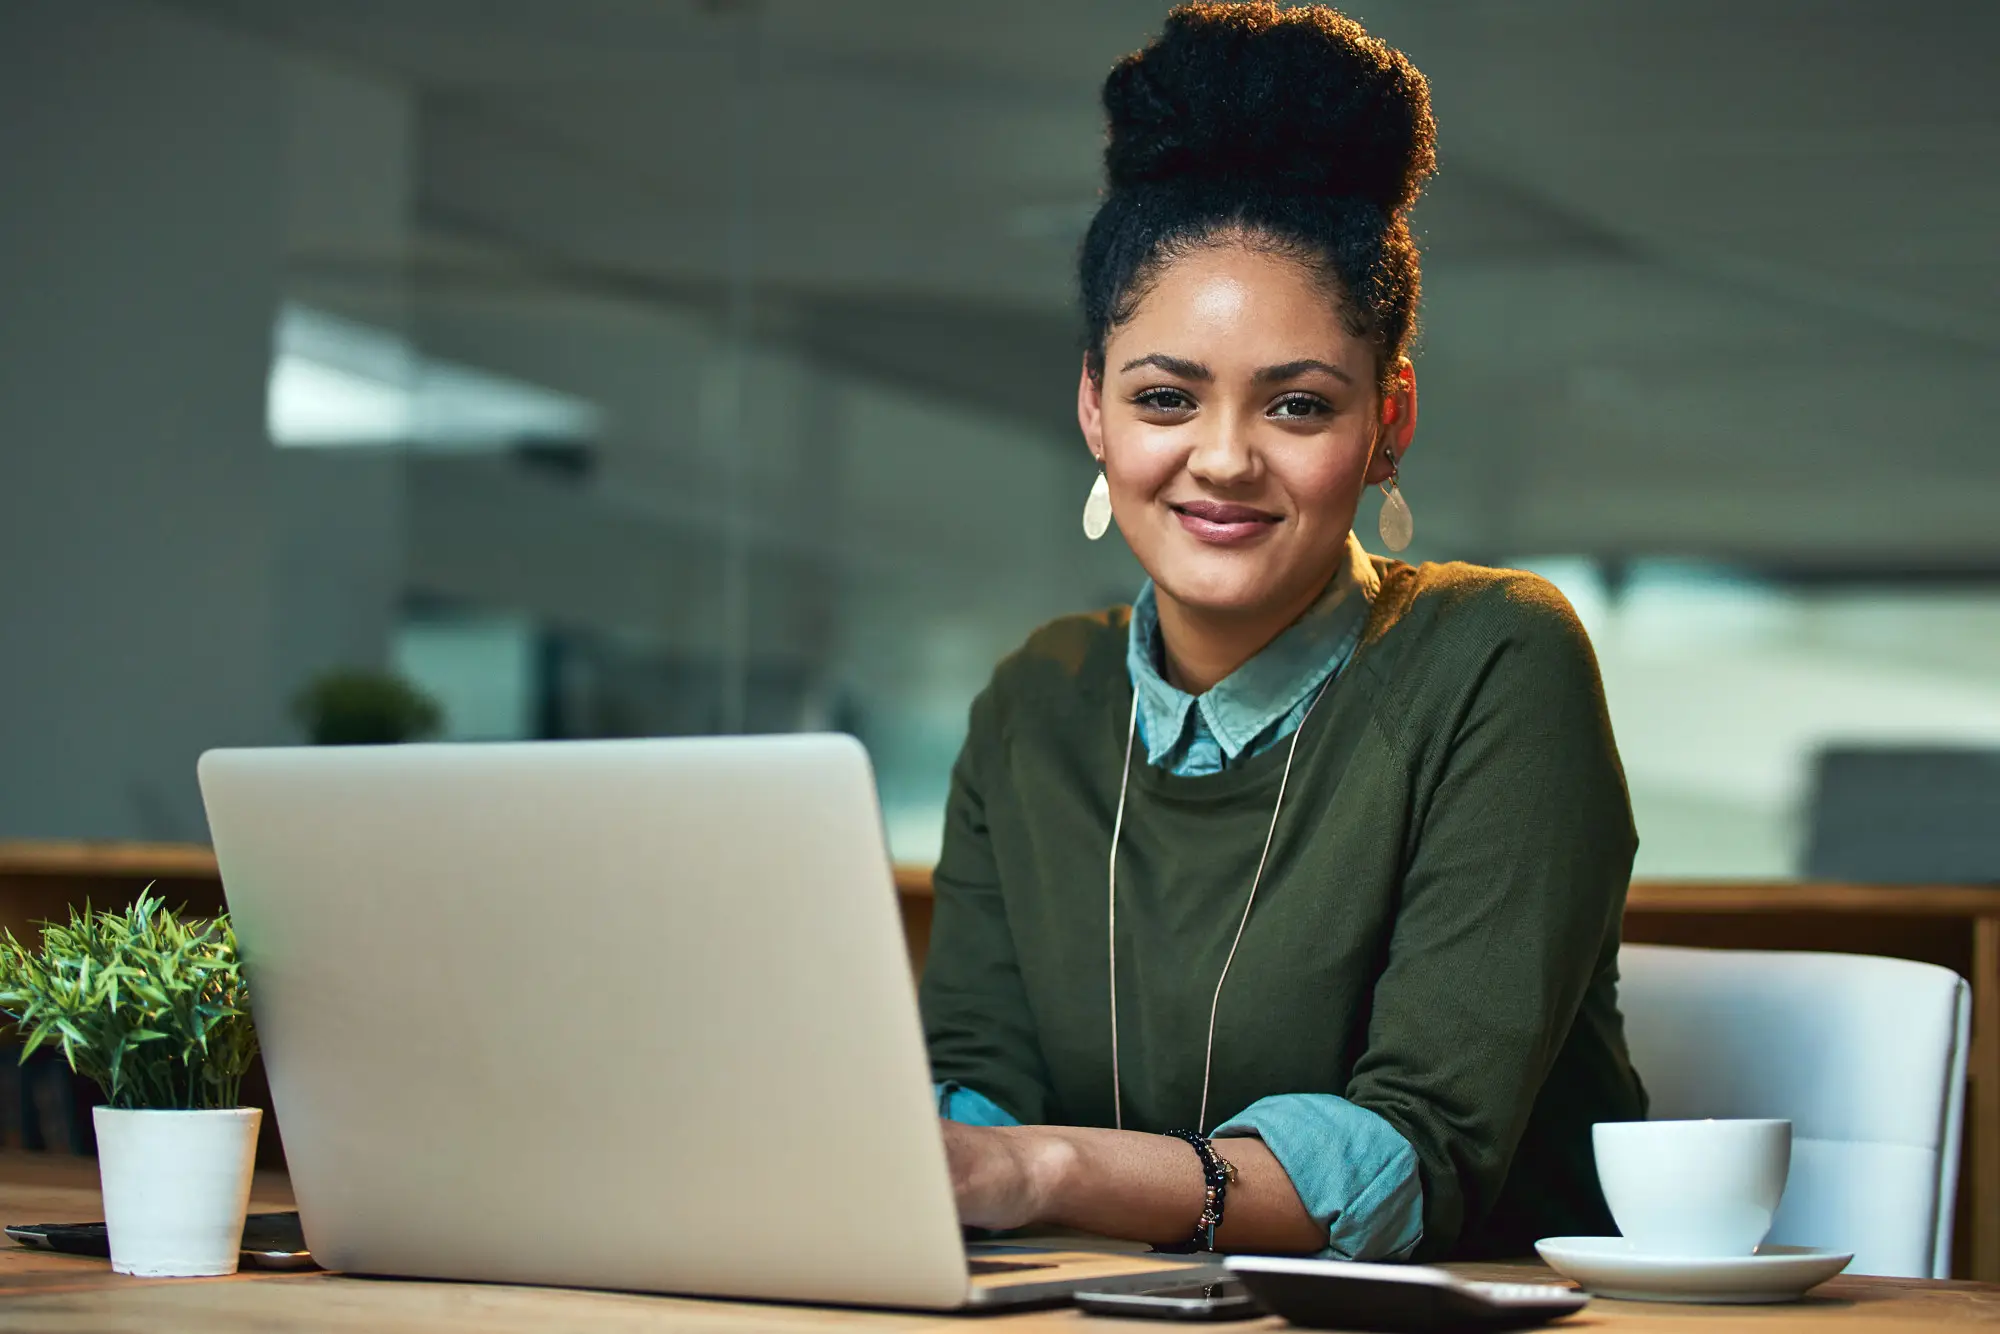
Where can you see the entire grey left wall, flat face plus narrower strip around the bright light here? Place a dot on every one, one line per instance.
(167, 579)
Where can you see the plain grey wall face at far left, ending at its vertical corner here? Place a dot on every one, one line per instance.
(139, 263)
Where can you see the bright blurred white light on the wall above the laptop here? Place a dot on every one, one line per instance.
(339, 383)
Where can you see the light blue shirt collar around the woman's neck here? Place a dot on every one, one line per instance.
(1251, 703)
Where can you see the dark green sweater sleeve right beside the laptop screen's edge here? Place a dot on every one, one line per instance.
(977, 1019)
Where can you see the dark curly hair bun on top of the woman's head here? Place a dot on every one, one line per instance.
(1293, 101)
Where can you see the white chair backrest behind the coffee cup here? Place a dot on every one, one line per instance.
(1865, 1057)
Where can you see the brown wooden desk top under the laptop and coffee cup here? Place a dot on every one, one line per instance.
(59, 1295)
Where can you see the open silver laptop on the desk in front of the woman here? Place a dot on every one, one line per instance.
(611, 1015)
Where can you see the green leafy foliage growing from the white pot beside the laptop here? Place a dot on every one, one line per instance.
(147, 1005)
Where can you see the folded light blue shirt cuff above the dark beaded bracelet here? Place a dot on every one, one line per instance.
(1351, 1169)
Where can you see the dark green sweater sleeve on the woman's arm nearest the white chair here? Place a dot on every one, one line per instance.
(1515, 883)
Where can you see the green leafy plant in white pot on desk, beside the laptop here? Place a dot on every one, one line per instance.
(157, 1013)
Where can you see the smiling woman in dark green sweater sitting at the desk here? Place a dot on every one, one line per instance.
(1279, 911)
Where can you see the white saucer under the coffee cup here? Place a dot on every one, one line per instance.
(1609, 1267)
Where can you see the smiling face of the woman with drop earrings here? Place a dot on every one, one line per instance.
(1237, 425)
